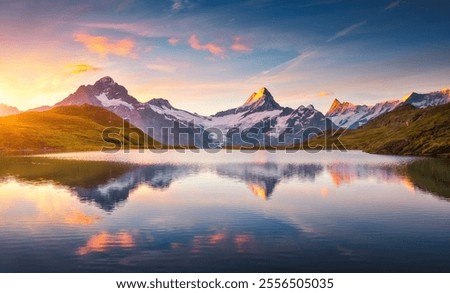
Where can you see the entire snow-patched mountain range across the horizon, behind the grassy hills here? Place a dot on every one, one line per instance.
(259, 121)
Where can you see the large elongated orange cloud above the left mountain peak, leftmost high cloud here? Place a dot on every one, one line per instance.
(104, 46)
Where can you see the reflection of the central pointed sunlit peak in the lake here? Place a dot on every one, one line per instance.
(262, 178)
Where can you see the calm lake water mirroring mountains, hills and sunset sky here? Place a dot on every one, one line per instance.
(224, 212)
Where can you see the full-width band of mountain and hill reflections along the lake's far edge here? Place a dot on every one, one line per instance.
(108, 185)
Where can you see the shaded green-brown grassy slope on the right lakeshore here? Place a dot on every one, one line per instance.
(404, 131)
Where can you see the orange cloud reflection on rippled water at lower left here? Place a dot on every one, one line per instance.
(104, 241)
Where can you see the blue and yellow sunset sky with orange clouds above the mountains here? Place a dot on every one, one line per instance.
(206, 56)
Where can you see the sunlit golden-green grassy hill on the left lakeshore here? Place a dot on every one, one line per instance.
(63, 129)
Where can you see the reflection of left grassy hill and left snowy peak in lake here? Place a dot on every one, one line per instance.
(106, 184)
